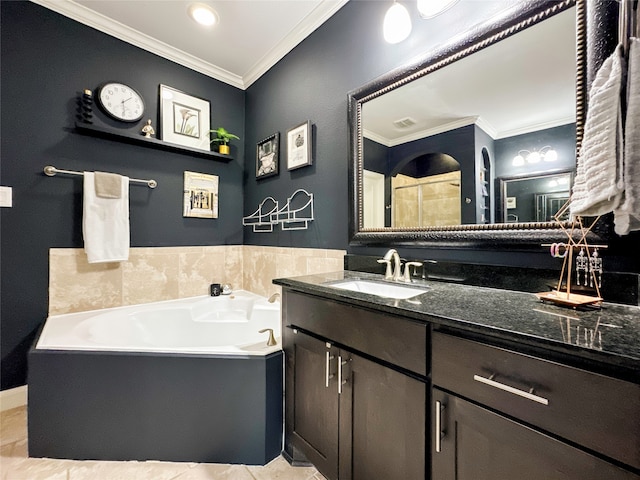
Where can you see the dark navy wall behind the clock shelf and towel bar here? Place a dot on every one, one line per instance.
(46, 60)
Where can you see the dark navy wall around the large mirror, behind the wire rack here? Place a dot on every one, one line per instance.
(312, 82)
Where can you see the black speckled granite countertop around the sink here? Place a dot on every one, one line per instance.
(610, 335)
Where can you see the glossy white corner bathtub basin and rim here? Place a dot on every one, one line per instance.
(228, 324)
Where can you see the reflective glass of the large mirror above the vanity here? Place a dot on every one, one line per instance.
(437, 150)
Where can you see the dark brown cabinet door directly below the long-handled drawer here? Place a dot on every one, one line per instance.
(472, 443)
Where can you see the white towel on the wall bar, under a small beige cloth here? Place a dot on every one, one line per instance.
(105, 223)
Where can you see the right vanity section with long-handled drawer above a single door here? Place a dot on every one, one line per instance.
(501, 415)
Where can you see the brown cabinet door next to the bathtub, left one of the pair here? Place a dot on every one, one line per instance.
(312, 401)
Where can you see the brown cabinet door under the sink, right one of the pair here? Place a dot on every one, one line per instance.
(382, 422)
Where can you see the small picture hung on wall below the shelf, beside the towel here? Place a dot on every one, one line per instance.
(200, 195)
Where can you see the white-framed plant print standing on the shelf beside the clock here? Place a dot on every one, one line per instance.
(184, 119)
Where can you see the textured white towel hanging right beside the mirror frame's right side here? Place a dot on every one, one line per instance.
(598, 184)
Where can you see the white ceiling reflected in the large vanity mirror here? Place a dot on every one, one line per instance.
(534, 79)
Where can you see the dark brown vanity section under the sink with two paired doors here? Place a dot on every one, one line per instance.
(352, 414)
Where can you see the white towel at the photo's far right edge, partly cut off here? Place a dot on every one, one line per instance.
(627, 216)
